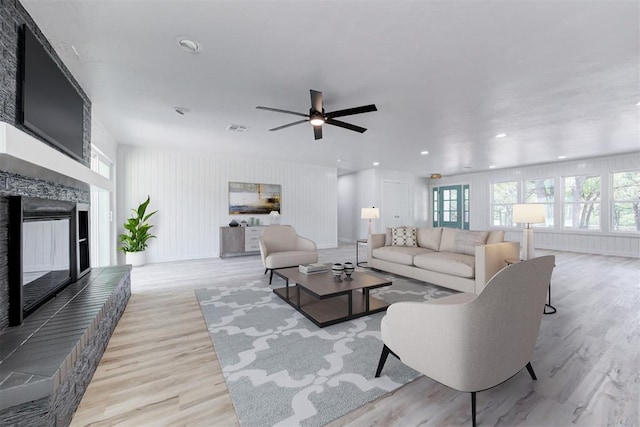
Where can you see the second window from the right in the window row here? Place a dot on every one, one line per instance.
(582, 202)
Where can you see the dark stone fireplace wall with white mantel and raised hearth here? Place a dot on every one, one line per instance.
(47, 363)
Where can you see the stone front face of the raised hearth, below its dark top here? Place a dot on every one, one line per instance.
(58, 409)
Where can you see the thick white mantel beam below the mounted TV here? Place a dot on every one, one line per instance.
(25, 155)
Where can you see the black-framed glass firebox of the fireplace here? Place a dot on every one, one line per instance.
(48, 250)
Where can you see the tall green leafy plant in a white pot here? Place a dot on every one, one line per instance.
(134, 241)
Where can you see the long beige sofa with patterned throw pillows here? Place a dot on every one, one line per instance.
(456, 259)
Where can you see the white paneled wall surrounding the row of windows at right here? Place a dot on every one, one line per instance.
(602, 242)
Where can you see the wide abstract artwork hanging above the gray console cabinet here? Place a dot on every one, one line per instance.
(253, 199)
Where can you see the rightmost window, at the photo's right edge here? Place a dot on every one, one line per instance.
(625, 200)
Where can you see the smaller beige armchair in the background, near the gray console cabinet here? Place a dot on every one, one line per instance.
(281, 247)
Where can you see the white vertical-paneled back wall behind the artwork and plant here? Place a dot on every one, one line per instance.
(190, 191)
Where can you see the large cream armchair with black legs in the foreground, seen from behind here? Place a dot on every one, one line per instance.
(472, 342)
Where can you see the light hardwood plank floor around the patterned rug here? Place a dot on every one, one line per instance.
(161, 369)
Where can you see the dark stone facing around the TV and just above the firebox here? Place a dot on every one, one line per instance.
(12, 15)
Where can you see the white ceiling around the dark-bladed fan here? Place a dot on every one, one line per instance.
(560, 78)
